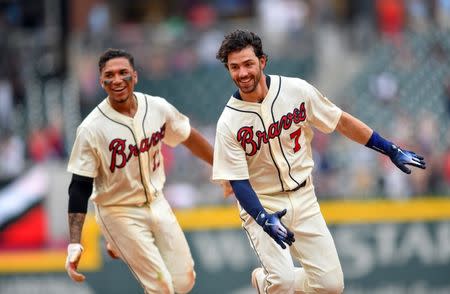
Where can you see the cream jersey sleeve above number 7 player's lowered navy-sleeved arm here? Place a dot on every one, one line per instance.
(229, 157)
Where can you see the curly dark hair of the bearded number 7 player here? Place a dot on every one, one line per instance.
(238, 40)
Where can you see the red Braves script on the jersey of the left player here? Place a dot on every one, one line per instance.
(120, 154)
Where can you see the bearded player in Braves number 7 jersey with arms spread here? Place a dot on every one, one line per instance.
(263, 147)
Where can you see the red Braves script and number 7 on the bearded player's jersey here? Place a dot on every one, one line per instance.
(246, 136)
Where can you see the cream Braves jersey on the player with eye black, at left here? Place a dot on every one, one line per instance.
(123, 154)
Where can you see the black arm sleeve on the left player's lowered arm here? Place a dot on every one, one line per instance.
(80, 189)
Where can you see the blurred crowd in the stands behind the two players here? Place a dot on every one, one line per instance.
(177, 38)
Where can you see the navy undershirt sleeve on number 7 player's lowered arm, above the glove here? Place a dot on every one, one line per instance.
(247, 197)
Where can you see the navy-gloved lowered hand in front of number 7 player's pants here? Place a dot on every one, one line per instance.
(272, 225)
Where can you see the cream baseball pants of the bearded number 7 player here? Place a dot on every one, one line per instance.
(313, 248)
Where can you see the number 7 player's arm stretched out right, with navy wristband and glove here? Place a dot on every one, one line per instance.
(358, 131)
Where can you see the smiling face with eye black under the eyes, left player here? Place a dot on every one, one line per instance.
(118, 78)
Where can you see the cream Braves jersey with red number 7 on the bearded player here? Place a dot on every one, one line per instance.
(269, 143)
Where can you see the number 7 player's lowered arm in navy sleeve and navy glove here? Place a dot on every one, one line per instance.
(270, 222)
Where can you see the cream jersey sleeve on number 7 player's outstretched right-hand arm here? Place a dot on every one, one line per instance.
(322, 113)
